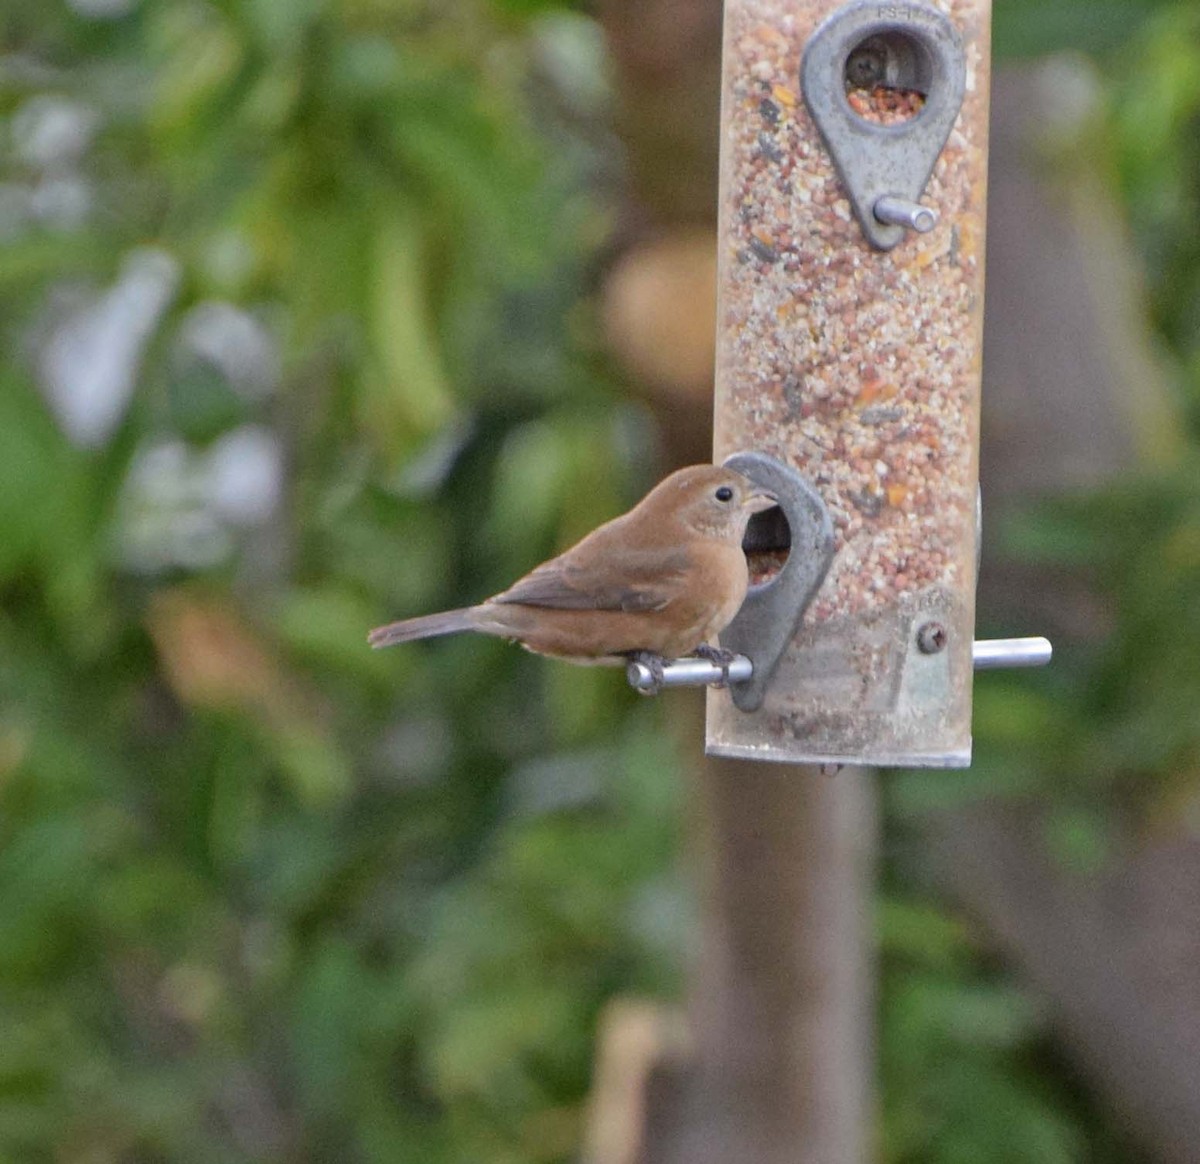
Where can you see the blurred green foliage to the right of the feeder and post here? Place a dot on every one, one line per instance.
(1107, 742)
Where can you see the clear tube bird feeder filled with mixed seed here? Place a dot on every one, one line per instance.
(850, 327)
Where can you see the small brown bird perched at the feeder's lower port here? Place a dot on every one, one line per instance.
(663, 580)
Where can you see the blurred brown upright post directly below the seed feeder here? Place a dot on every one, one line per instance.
(782, 1005)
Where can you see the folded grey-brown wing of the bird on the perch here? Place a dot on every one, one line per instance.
(631, 581)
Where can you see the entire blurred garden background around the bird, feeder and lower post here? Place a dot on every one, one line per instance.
(323, 313)
